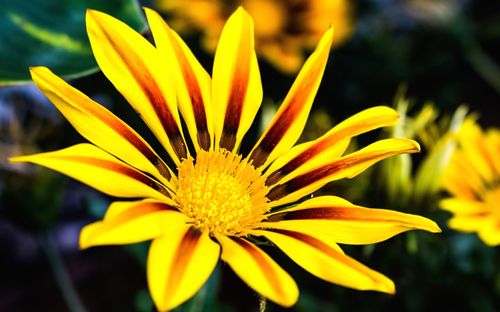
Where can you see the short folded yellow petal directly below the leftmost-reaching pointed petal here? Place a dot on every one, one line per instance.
(132, 222)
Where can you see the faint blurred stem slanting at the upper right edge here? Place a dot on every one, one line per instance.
(484, 65)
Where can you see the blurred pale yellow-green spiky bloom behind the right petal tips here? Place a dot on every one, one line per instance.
(404, 182)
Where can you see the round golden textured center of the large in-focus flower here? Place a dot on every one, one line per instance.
(221, 193)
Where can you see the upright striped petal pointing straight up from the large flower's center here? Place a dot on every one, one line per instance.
(236, 84)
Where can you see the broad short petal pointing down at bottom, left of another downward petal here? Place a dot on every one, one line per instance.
(178, 265)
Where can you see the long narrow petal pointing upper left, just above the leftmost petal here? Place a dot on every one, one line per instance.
(98, 125)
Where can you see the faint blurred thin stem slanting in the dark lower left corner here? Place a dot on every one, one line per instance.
(61, 275)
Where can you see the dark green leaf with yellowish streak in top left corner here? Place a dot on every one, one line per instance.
(52, 33)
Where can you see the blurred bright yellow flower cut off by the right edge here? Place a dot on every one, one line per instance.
(472, 177)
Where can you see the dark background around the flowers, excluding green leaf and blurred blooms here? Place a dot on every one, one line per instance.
(449, 61)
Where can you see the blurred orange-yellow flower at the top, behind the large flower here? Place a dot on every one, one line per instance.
(283, 29)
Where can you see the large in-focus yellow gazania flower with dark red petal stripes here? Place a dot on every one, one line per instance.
(205, 200)
